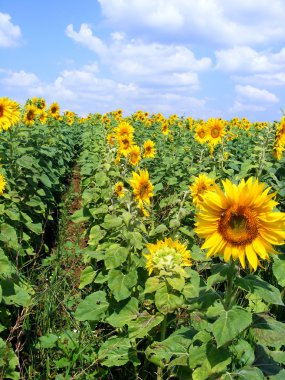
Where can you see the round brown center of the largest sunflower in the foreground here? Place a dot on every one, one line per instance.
(238, 225)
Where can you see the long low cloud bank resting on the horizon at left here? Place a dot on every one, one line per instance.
(84, 91)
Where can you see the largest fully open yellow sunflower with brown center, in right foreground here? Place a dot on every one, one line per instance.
(240, 222)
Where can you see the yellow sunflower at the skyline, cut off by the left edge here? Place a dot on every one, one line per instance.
(9, 113)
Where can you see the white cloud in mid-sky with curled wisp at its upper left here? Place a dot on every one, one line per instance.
(144, 63)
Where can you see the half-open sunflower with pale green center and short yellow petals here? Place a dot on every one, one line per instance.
(167, 256)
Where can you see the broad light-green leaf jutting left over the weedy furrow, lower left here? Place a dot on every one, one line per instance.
(93, 307)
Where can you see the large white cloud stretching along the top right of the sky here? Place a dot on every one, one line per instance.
(209, 21)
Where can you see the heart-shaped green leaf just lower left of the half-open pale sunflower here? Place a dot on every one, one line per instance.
(121, 284)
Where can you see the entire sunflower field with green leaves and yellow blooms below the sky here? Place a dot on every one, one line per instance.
(140, 246)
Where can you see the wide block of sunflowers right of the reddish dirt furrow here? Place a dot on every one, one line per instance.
(185, 225)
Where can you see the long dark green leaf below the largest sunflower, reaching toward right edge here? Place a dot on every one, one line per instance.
(255, 285)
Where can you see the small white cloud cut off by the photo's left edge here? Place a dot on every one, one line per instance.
(10, 34)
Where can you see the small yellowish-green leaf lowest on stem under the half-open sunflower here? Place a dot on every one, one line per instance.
(167, 301)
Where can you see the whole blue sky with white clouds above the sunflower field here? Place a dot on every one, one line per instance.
(199, 58)
